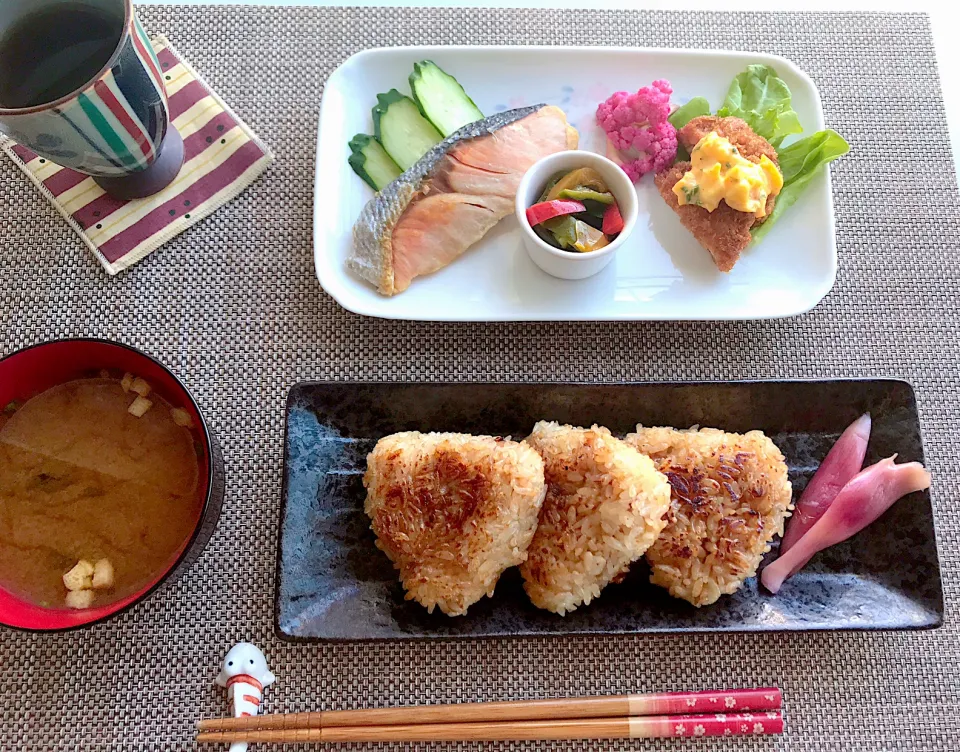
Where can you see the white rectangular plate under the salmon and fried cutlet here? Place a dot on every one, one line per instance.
(661, 273)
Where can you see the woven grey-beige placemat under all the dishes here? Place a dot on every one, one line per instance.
(233, 307)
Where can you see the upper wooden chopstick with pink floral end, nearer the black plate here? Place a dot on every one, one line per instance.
(622, 706)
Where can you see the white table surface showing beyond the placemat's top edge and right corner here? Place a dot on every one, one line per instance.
(944, 18)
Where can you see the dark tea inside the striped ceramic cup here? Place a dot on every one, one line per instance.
(55, 50)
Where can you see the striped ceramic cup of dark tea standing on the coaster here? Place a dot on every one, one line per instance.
(81, 85)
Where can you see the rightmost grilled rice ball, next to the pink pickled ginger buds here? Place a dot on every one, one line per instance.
(730, 497)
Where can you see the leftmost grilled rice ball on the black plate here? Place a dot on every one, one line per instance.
(452, 512)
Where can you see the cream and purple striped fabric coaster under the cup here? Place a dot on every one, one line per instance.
(222, 157)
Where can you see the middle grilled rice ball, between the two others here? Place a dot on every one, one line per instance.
(605, 506)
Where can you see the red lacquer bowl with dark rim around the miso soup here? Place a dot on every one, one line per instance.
(29, 372)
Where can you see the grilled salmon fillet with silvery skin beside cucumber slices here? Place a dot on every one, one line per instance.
(452, 196)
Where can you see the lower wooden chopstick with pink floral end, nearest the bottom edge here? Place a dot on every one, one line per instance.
(639, 727)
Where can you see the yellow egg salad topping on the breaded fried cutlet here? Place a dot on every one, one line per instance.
(718, 172)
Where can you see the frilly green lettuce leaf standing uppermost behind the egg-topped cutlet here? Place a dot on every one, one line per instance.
(762, 99)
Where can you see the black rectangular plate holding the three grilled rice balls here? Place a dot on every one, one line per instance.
(334, 584)
